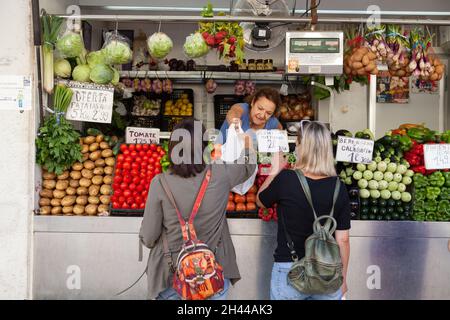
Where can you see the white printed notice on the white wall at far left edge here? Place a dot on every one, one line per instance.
(15, 92)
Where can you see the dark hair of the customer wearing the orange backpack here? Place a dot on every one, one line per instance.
(191, 168)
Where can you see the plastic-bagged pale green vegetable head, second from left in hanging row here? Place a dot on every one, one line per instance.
(116, 48)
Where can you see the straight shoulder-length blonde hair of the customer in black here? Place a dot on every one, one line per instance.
(315, 150)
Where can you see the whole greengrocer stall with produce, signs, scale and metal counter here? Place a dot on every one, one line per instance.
(110, 104)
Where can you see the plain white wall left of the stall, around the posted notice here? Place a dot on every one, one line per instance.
(17, 160)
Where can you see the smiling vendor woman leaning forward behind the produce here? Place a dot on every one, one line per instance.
(259, 113)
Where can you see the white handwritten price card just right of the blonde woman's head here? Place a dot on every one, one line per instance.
(354, 150)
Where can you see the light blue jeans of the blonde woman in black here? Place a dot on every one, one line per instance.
(281, 290)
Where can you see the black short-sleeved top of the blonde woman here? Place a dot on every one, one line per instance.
(286, 191)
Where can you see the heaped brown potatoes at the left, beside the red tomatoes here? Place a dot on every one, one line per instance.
(86, 189)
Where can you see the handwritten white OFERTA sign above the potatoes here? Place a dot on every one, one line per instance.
(90, 102)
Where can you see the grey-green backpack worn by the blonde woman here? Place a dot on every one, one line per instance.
(320, 271)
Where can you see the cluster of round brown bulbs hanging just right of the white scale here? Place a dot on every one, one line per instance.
(360, 62)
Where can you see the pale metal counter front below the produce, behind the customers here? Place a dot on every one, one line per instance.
(96, 257)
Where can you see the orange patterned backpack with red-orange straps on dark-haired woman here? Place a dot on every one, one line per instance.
(197, 275)
